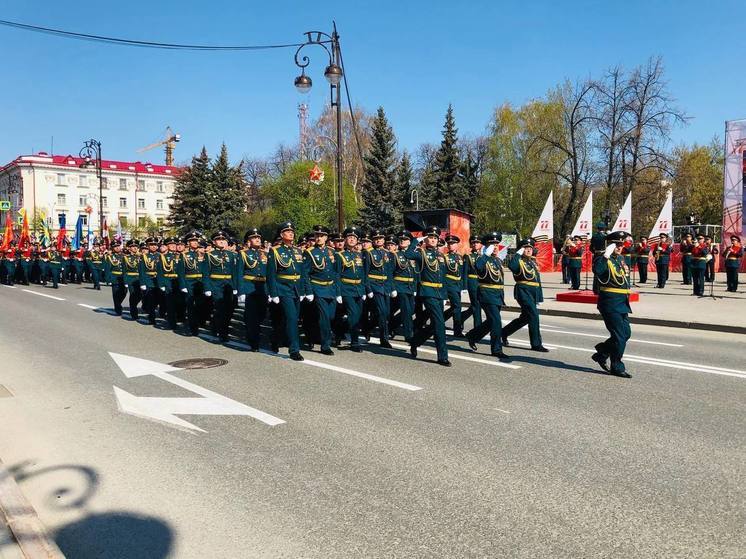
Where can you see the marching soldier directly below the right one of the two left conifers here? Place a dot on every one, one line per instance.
(221, 283)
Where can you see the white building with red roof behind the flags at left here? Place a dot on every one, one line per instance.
(52, 185)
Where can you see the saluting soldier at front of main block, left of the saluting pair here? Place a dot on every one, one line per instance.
(431, 267)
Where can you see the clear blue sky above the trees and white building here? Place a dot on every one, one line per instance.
(413, 57)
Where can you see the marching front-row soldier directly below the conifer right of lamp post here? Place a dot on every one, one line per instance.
(378, 269)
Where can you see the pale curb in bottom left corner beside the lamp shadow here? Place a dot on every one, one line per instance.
(21, 518)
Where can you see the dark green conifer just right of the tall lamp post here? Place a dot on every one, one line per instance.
(379, 207)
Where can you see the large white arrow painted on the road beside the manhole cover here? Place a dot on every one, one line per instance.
(166, 409)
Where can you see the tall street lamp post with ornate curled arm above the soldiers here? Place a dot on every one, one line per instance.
(334, 75)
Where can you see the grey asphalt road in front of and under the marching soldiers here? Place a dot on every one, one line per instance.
(546, 459)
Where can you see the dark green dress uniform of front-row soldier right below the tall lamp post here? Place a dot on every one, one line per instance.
(353, 288)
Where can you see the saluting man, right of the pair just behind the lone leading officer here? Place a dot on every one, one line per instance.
(527, 293)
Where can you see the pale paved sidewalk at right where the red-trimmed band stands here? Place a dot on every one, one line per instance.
(674, 306)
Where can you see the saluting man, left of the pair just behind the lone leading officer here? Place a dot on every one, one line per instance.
(489, 270)
